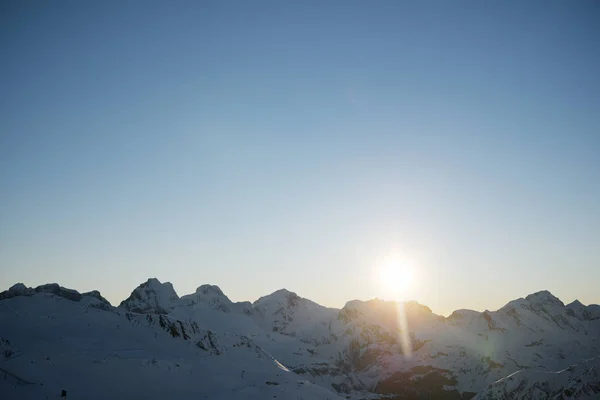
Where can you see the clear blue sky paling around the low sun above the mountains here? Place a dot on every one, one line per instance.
(266, 145)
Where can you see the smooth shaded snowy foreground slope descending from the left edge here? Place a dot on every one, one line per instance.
(57, 343)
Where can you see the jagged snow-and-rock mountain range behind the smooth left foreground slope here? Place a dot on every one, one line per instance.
(381, 347)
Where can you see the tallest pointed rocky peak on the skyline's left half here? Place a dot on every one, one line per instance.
(151, 297)
